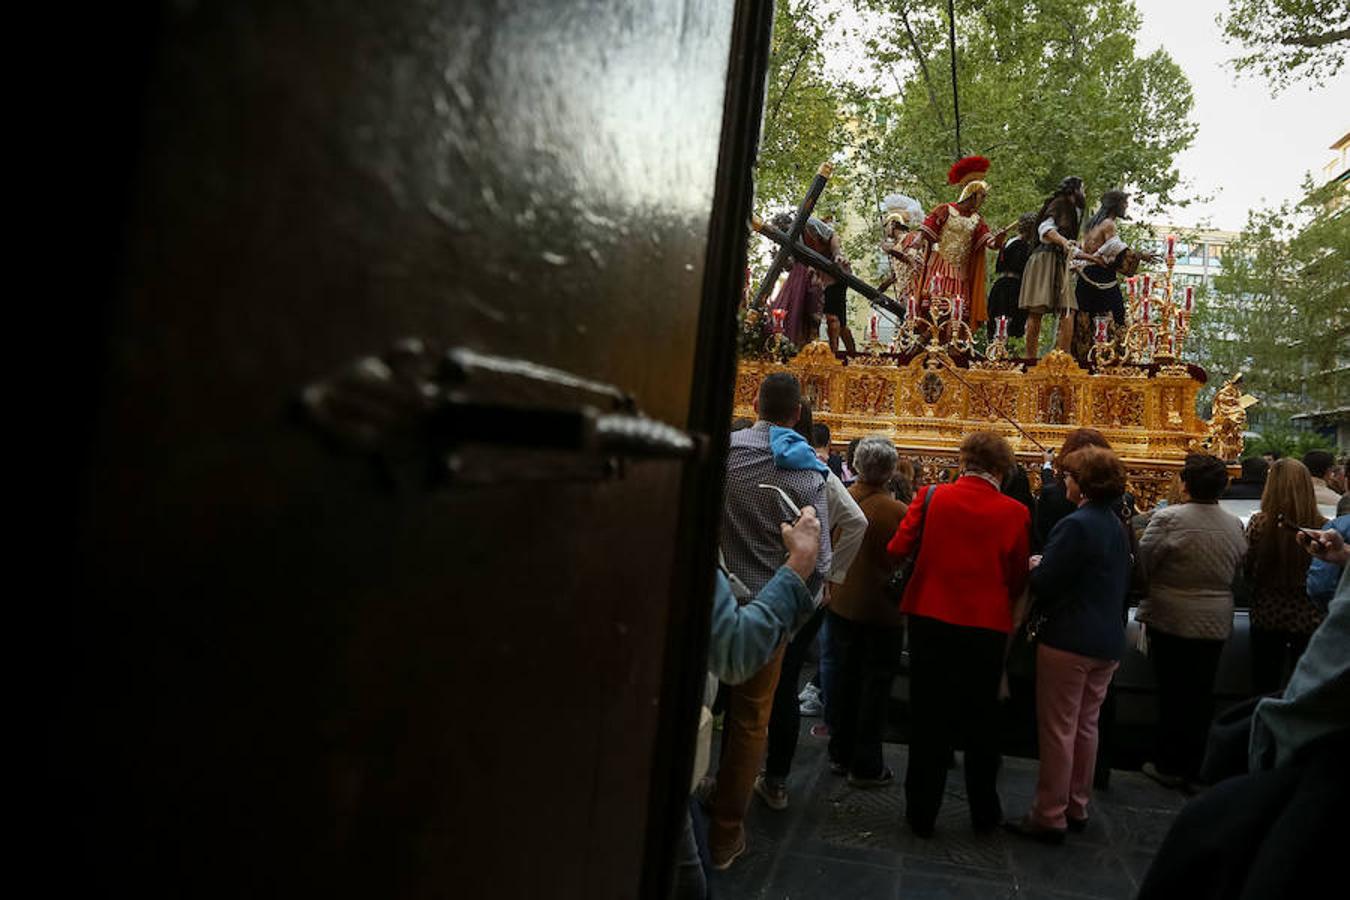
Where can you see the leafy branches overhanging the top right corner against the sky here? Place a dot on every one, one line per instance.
(1287, 41)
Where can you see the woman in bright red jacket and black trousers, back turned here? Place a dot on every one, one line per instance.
(971, 569)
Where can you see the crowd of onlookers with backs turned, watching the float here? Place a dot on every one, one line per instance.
(978, 577)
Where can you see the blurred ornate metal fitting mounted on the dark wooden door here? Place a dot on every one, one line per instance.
(479, 419)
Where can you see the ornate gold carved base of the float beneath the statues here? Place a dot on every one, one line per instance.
(929, 405)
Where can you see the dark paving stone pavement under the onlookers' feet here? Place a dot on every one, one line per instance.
(835, 841)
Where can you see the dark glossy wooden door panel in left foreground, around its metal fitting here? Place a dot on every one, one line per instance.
(292, 675)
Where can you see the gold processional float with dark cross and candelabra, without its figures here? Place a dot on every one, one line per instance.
(932, 385)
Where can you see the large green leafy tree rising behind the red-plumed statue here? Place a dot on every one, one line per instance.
(1048, 88)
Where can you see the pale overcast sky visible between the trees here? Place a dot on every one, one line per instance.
(1252, 150)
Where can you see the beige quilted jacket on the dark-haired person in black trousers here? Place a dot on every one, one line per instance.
(1191, 554)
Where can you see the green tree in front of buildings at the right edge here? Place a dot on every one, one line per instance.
(1280, 311)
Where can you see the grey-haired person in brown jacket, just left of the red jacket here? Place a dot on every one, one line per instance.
(865, 628)
